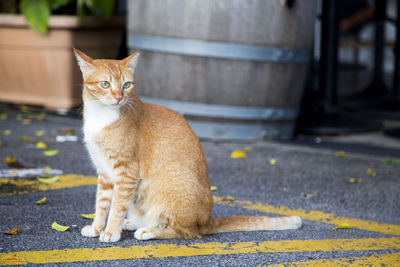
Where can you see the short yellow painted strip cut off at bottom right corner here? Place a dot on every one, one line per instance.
(374, 260)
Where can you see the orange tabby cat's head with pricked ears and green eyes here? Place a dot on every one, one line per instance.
(108, 82)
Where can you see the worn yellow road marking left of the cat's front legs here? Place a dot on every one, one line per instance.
(13, 186)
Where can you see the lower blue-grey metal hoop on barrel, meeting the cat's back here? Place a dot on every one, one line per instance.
(225, 111)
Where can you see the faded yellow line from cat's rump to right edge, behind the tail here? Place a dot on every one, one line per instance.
(317, 216)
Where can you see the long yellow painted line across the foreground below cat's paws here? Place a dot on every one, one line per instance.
(197, 249)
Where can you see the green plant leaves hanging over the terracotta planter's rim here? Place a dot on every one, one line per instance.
(37, 12)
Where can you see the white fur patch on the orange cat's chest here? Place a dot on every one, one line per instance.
(97, 117)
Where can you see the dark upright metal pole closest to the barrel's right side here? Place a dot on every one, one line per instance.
(329, 49)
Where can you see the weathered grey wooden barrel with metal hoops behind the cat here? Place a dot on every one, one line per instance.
(235, 69)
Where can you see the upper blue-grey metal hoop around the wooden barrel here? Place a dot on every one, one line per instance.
(213, 49)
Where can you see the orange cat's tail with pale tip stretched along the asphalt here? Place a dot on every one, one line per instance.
(252, 223)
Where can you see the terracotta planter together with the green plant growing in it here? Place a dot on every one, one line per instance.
(37, 65)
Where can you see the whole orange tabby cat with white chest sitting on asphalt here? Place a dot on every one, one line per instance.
(152, 174)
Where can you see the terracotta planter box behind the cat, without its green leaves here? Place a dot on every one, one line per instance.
(41, 69)
